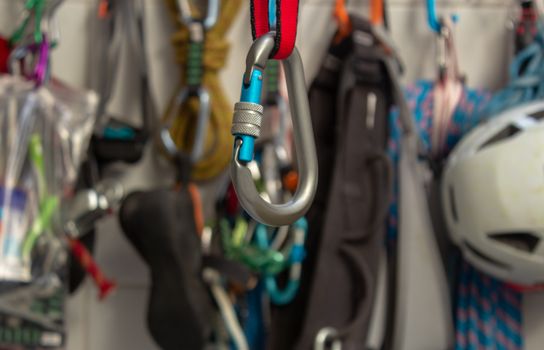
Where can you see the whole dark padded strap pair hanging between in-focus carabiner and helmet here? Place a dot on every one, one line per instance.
(347, 220)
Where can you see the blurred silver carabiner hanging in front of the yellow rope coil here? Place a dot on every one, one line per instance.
(202, 124)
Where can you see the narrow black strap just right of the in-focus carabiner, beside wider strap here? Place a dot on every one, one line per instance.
(287, 320)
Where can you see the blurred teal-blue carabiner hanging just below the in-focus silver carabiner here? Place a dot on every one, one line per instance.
(296, 256)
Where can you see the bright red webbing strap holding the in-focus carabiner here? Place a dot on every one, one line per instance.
(286, 26)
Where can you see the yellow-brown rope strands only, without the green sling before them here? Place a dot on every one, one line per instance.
(218, 144)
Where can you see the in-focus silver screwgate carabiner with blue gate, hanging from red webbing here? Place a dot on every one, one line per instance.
(246, 128)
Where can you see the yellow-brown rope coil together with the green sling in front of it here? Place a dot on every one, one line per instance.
(202, 61)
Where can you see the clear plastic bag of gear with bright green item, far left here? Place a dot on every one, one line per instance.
(44, 134)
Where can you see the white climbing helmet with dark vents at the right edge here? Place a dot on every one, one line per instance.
(493, 195)
